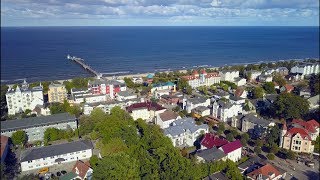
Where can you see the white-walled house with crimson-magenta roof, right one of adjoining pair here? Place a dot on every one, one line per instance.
(233, 150)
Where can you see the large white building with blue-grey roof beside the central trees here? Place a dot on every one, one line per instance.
(184, 132)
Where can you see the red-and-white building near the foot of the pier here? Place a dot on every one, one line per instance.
(107, 87)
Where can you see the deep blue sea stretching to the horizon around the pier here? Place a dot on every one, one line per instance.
(39, 53)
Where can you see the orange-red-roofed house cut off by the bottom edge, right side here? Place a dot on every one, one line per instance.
(266, 172)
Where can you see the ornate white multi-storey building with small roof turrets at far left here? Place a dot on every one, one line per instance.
(23, 98)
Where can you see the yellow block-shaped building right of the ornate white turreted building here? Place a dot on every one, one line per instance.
(57, 93)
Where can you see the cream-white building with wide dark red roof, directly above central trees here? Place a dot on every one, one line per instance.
(145, 110)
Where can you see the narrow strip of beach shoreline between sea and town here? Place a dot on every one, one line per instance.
(130, 75)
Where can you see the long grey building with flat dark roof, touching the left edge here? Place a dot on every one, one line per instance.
(36, 126)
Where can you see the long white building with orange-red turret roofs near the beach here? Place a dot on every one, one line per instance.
(204, 79)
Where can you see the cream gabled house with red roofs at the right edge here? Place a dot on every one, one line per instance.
(298, 136)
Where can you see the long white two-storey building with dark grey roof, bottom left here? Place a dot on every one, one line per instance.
(55, 154)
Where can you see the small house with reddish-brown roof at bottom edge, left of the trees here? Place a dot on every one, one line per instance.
(81, 170)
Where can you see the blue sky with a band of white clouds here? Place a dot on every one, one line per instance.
(160, 13)
